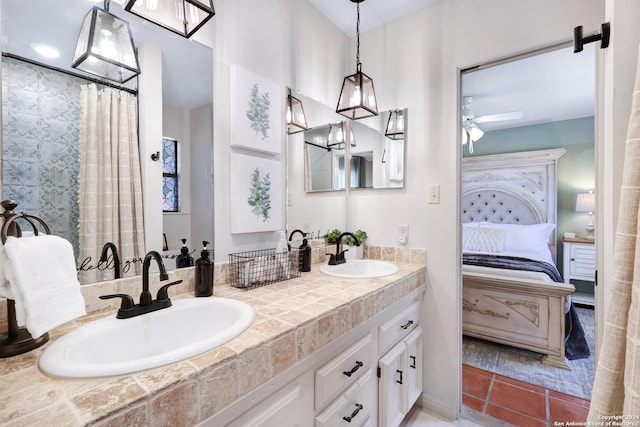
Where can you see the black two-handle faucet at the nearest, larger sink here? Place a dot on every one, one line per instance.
(147, 303)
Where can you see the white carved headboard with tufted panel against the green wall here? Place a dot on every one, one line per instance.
(513, 188)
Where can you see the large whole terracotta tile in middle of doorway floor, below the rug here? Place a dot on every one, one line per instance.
(519, 400)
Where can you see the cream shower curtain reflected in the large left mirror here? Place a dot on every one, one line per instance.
(110, 182)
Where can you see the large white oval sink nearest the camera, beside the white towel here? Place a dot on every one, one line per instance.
(111, 346)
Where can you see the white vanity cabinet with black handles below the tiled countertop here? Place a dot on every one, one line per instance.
(349, 382)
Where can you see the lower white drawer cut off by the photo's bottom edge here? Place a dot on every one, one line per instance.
(352, 408)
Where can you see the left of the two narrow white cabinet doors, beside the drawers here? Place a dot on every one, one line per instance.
(391, 393)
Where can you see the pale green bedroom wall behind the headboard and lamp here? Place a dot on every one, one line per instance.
(576, 169)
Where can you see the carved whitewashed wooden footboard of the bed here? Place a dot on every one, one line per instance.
(522, 313)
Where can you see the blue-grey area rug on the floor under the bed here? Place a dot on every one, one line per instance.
(524, 365)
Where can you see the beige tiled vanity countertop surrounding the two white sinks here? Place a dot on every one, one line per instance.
(293, 319)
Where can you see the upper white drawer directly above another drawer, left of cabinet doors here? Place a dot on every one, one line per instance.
(334, 377)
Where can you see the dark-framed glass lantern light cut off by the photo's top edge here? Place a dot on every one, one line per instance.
(183, 17)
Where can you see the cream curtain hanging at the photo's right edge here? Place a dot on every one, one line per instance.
(616, 390)
